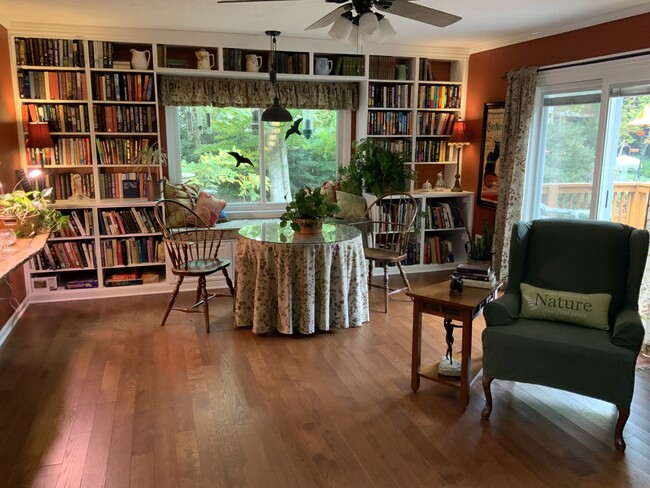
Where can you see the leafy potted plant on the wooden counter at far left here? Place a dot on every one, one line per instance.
(27, 212)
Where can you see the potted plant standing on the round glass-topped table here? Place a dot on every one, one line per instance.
(305, 213)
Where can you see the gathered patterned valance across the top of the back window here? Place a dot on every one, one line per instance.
(222, 92)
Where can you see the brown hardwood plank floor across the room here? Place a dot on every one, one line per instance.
(96, 393)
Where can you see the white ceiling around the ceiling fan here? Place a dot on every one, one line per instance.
(485, 23)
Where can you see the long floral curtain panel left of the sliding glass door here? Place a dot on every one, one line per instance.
(520, 99)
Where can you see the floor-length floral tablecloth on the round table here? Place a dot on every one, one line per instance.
(294, 283)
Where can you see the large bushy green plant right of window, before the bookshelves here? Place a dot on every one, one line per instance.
(374, 168)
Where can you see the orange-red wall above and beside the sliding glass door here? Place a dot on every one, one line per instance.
(487, 69)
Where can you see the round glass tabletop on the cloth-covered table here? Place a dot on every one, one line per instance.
(272, 232)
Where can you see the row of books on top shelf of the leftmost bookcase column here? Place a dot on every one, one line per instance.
(49, 52)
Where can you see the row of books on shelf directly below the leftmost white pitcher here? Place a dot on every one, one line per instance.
(131, 87)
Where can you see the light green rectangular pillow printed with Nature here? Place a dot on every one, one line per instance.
(588, 310)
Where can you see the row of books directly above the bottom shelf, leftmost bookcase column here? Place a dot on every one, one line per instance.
(65, 255)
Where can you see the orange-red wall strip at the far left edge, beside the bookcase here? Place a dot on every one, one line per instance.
(9, 161)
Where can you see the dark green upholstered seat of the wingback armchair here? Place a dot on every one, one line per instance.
(564, 356)
